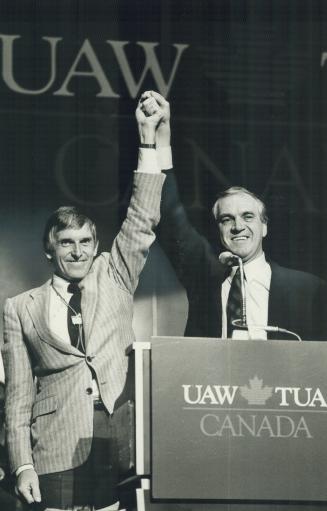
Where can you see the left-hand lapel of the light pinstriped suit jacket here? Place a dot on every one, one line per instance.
(38, 308)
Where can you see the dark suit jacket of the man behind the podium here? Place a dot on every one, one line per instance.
(296, 301)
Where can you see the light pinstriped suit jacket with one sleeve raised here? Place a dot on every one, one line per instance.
(52, 427)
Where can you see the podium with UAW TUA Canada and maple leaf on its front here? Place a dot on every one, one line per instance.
(230, 425)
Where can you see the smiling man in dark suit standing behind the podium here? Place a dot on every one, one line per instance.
(275, 296)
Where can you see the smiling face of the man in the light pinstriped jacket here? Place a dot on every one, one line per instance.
(73, 252)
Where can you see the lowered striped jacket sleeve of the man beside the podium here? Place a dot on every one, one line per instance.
(20, 390)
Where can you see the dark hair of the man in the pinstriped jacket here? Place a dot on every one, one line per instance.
(65, 217)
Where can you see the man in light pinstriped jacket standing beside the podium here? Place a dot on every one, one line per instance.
(60, 397)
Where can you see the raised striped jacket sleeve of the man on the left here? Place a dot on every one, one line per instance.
(131, 246)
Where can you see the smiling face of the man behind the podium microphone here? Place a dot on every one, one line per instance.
(240, 226)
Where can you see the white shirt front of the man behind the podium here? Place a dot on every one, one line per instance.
(257, 285)
